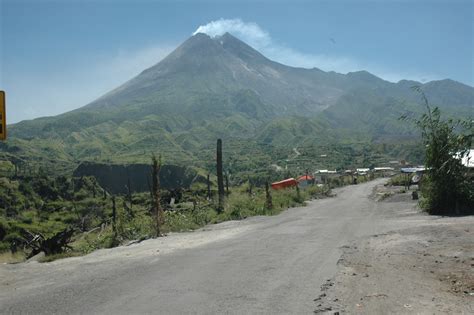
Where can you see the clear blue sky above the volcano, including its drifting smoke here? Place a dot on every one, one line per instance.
(60, 55)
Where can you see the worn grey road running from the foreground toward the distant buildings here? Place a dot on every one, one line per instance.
(259, 265)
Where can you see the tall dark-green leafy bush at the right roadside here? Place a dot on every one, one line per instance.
(446, 186)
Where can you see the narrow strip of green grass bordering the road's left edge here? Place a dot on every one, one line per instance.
(188, 216)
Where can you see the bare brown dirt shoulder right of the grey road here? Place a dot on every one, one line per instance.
(427, 269)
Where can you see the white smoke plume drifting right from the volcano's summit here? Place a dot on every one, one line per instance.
(252, 34)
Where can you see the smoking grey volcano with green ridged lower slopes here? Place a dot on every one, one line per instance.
(220, 87)
